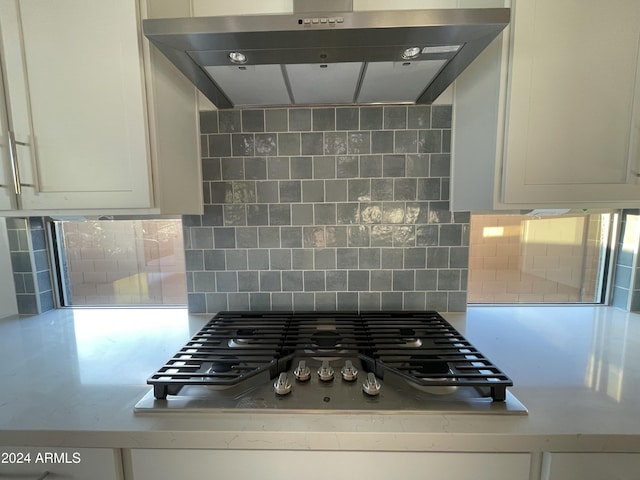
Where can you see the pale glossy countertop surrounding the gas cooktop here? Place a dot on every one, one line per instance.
(72, 378)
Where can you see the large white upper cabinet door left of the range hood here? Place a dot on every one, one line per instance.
(74, 79)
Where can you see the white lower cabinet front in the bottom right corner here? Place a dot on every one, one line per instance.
(591, 466)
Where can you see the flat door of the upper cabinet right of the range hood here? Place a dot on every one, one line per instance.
(573, 100)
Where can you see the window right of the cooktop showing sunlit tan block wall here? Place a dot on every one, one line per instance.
(538, 259)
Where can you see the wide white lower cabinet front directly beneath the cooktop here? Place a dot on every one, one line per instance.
(321, 465)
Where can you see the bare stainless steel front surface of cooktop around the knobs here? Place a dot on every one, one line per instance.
(396, 395)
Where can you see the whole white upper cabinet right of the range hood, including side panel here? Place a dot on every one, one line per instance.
(564, 129)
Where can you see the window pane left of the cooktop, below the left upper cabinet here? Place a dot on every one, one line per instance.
(121, 262)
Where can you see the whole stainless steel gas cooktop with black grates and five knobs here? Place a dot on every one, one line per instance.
(330, 361)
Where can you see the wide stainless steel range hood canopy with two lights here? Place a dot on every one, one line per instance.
(311, 58)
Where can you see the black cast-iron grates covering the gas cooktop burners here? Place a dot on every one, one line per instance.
(421, 347)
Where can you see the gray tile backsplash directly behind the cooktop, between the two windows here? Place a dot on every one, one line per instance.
(325, 208)
